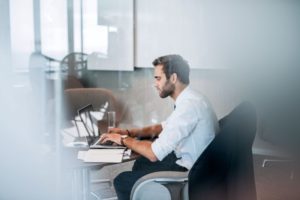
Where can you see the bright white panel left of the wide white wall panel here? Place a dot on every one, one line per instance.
(108, 34)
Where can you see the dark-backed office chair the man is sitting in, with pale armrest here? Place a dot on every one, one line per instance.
(223, 171)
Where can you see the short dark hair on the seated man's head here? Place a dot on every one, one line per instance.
(174, 64)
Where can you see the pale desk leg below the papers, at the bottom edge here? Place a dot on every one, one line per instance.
(81, 184)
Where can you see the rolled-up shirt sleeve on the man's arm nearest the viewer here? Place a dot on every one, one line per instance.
(178, 126)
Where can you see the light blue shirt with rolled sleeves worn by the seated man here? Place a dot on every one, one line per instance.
(188, 130)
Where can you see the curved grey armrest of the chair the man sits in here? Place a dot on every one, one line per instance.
(162, 177)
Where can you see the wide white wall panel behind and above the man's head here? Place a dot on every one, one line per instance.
(218, 34)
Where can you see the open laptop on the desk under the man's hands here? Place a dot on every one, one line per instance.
(92, 132)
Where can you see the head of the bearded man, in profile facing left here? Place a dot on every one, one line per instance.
(171, 71)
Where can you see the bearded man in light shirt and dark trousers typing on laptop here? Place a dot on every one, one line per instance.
(181, 138)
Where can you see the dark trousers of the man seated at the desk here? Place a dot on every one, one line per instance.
(124, 182)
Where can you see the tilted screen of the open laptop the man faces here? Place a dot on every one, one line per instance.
(86, 118)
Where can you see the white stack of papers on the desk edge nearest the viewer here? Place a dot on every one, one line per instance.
(101, 155)
